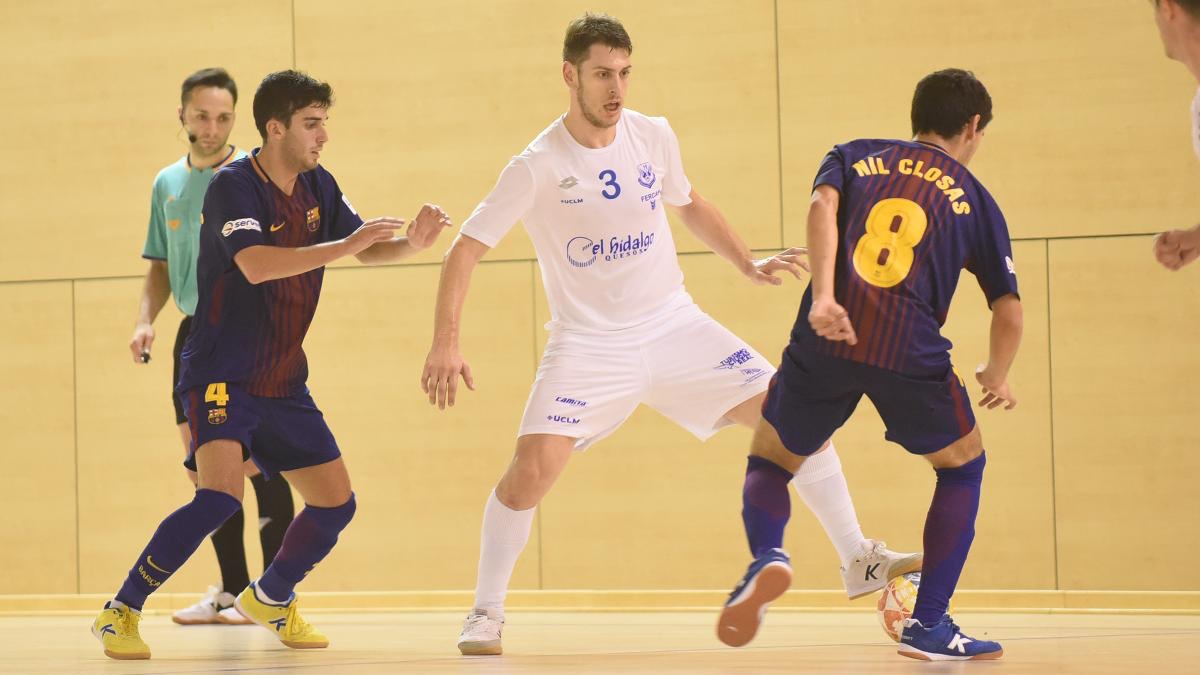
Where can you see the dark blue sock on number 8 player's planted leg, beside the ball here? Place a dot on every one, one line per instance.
(950, 530)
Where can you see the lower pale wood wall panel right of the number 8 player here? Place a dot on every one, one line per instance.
(1125, 390)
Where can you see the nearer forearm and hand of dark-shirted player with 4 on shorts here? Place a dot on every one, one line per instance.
(266, 264)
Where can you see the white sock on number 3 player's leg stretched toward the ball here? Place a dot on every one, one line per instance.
(823, 486)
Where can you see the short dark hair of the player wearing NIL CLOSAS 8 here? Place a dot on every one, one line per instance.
(946, 101)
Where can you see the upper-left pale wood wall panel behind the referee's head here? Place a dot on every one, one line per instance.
(98, 87)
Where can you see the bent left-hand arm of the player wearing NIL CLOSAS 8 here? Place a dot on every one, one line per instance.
(829, 319)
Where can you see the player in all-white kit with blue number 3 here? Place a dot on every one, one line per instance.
(592, 190)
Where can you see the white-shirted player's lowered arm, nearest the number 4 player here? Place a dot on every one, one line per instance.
(445, 365)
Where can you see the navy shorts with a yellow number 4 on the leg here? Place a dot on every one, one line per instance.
(278, 434)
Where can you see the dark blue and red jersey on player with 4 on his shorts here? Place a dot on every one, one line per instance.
(254, 334)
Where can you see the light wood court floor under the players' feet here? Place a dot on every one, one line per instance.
(611, 643)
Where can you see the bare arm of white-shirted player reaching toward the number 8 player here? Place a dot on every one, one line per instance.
(706, 222)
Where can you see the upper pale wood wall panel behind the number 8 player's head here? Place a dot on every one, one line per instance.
(1091, 128)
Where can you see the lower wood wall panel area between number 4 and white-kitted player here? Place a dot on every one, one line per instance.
(422, 476)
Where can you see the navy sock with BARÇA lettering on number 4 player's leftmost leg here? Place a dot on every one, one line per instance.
(175, 542)
